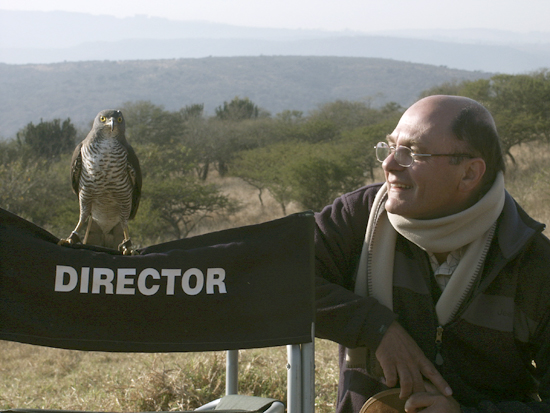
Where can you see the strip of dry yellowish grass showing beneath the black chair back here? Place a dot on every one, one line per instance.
(46, 378)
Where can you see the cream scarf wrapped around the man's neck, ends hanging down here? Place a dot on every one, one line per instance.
(473, 227)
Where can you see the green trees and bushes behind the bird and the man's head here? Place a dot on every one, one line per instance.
(307, 159)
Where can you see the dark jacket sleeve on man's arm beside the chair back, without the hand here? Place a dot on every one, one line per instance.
(343, 316)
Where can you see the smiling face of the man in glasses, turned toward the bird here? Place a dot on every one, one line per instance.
(430, 187)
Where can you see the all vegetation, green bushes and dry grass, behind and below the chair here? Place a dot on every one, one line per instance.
(206, 173)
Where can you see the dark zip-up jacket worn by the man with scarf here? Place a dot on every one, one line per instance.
(496, 350)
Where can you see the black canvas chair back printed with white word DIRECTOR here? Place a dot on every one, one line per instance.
(240, 288)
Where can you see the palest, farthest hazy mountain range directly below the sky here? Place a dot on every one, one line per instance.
(50, 37)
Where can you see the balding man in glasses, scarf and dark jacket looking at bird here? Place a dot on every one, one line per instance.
(436, 281)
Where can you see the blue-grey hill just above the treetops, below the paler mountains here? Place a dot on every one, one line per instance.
(79, 90)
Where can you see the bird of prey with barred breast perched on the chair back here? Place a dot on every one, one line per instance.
(106, 176)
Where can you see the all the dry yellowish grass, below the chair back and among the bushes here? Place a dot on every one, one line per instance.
(37, 377)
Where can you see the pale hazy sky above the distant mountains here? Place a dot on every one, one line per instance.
(360, 15)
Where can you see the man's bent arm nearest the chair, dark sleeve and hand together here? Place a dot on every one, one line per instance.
(349, 319)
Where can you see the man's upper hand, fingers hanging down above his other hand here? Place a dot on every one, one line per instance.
(401, 359)
